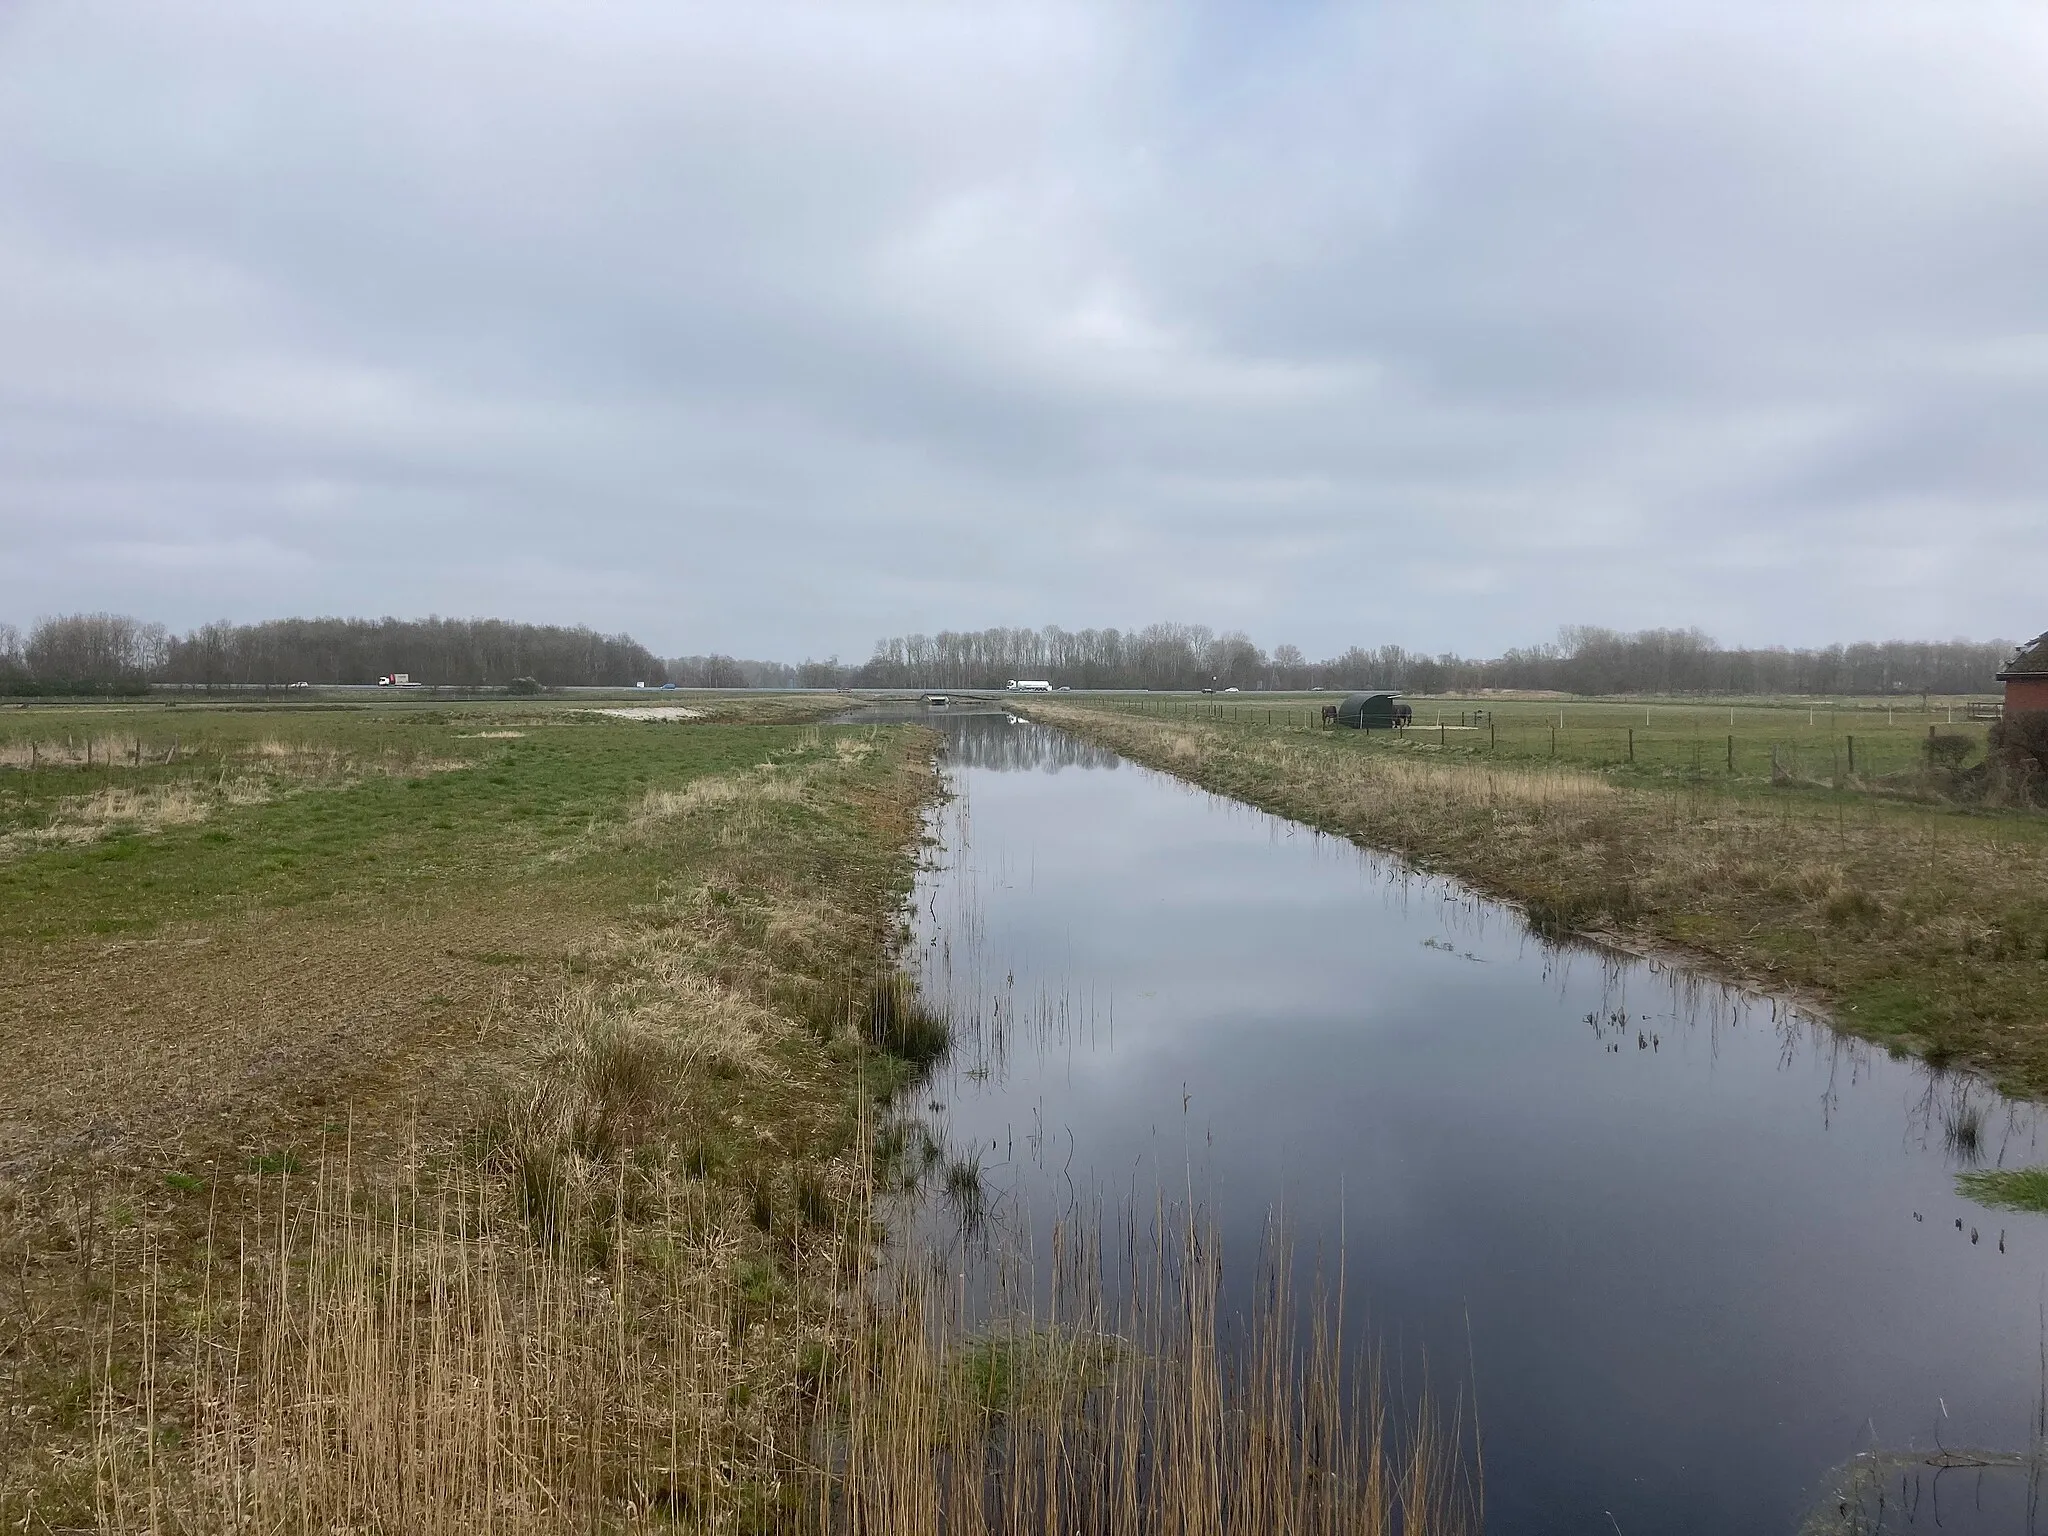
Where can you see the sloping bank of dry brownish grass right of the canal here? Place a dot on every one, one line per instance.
(1916, 925)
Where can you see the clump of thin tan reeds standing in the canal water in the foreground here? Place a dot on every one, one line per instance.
(1140, 1408)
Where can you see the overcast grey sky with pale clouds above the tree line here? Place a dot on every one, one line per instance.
(779, 329)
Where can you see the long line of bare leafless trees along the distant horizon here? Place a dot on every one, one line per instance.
(114, 652)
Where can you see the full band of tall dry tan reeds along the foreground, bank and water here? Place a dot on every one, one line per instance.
(425, 1365)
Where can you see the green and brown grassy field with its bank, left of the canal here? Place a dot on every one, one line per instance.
(271, 970)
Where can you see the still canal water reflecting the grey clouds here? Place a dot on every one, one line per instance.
(1691, 1248)
